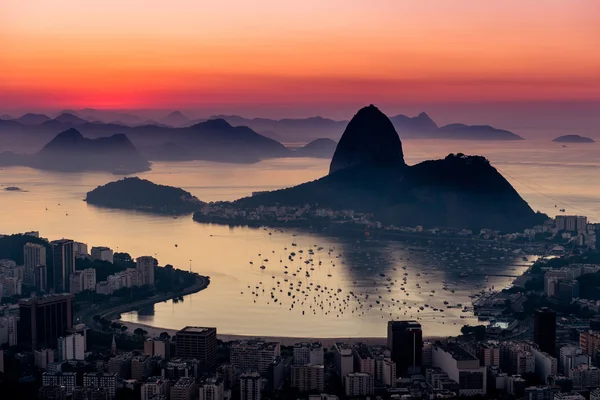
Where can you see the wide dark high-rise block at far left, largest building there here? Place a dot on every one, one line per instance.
(44, 319)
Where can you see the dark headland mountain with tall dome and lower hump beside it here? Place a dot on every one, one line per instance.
(368, 174)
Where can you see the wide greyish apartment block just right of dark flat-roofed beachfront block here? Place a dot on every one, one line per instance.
(253, 355)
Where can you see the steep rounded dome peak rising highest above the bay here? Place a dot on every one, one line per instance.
(369, 139)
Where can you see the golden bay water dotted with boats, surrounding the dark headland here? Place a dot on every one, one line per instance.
(545, 174)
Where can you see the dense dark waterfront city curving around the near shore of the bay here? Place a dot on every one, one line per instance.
(538, 339)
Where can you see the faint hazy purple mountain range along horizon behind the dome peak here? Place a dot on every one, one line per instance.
(302, 130)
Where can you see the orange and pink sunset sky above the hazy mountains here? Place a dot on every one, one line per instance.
(267, 57)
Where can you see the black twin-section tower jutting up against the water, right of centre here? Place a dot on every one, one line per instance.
(405, 339)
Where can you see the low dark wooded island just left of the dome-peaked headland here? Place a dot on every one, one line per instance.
(141, 194)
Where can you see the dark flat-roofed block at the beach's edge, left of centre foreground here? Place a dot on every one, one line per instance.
(193, 342)
